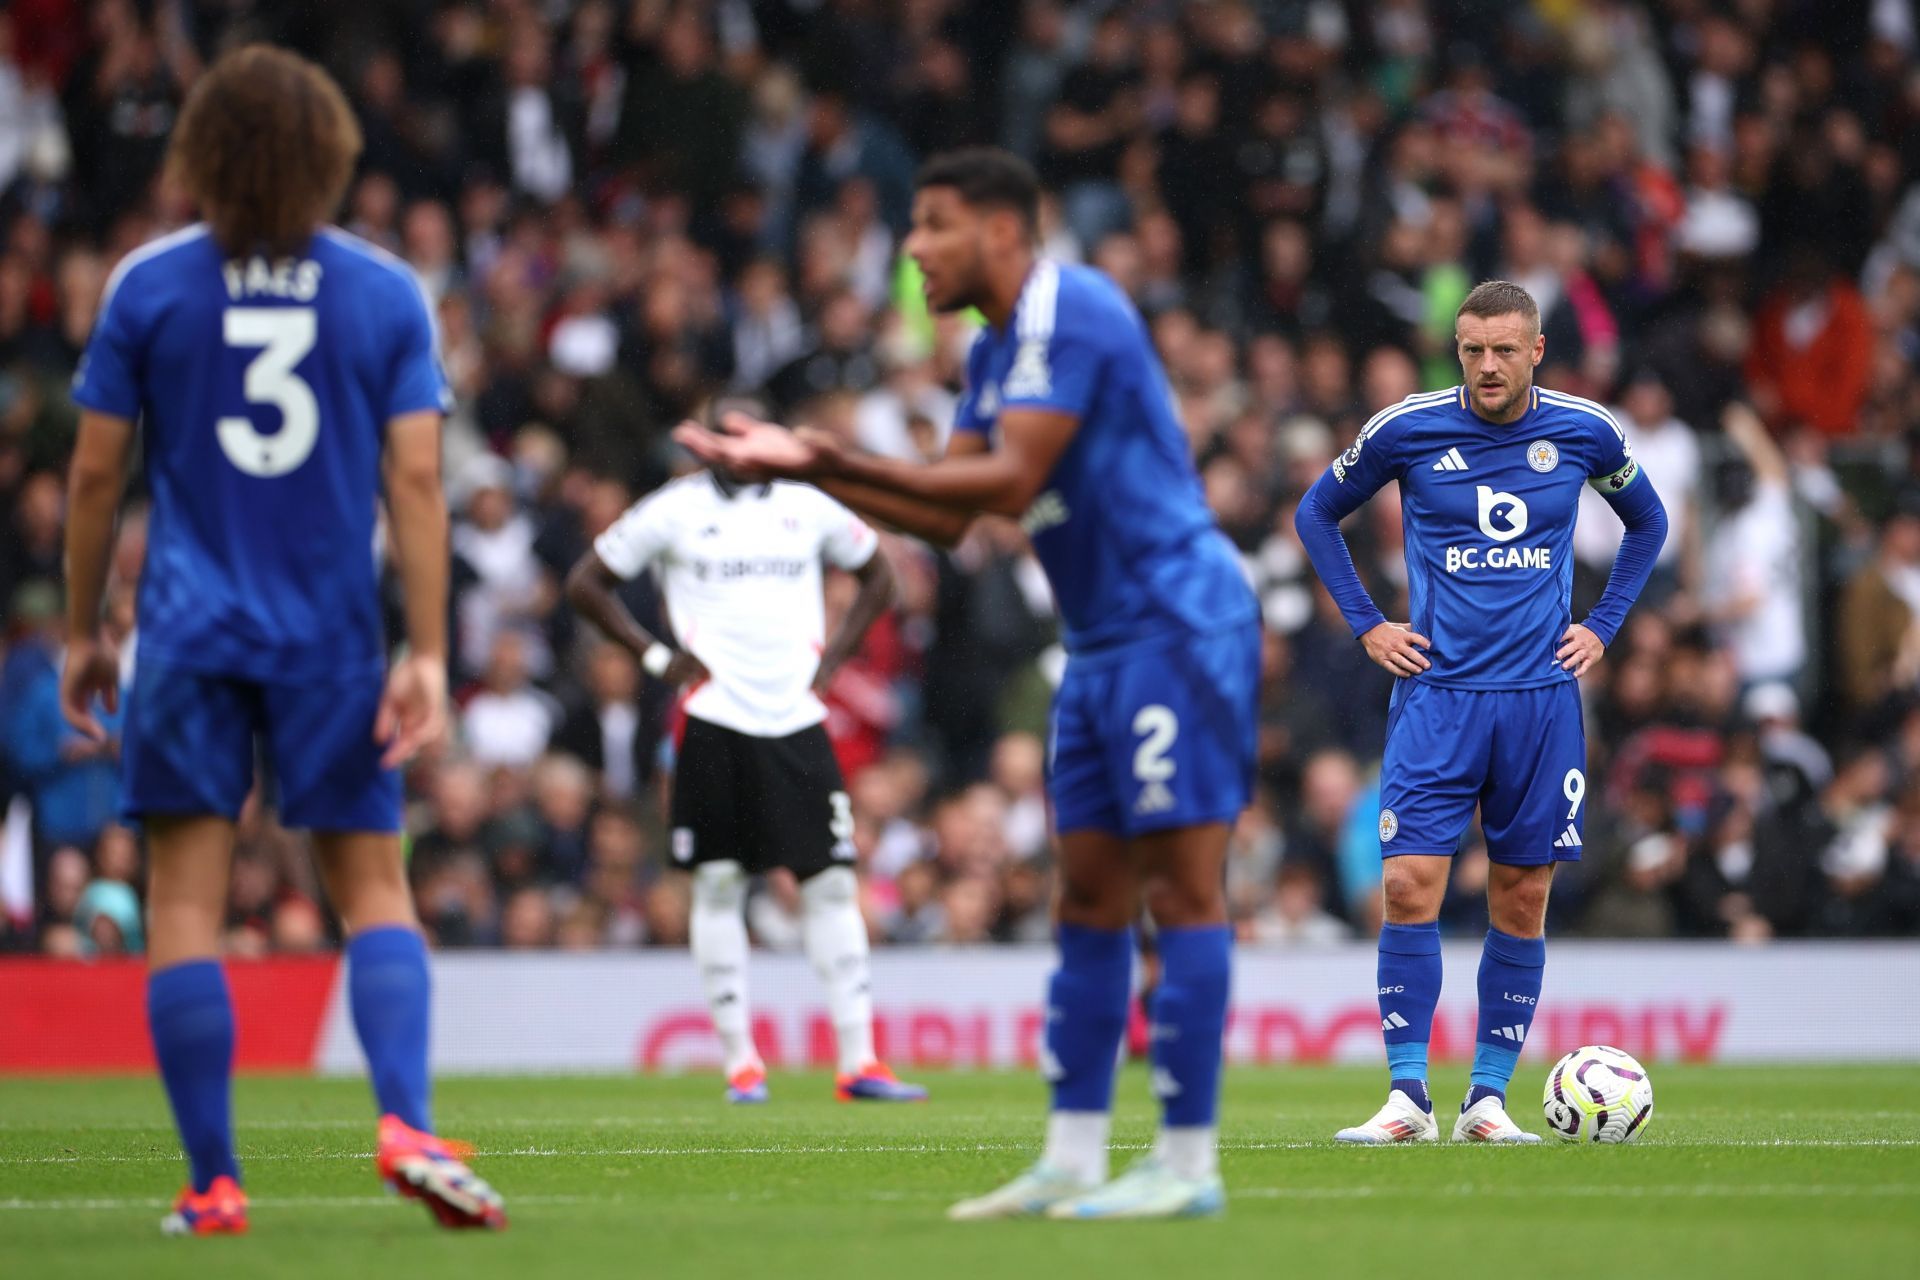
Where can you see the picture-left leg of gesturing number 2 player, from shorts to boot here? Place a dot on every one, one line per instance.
(1095, 903)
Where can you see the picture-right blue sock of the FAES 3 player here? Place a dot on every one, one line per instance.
(389, 989)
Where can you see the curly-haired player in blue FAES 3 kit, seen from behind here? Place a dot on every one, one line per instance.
(283, 383)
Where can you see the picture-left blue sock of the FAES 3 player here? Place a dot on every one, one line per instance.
(191, 1018)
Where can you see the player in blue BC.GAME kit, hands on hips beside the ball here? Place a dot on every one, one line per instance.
(1487, 709)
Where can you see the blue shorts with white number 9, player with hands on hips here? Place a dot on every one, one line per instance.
(1520, 755)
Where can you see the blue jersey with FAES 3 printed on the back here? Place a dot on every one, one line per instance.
(262, 389)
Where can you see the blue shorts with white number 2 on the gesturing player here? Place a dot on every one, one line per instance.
(1157, 736)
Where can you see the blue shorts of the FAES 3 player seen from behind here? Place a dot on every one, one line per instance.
(191, 742)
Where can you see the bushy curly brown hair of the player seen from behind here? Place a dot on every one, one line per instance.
(266, 145)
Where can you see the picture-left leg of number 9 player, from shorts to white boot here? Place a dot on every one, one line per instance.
(1437, 753)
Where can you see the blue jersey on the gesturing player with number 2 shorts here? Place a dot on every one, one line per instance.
(1122, 527)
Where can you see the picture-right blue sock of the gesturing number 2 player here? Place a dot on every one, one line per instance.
(1191, 1022)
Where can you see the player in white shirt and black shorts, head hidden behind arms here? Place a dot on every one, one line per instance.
(756, 784)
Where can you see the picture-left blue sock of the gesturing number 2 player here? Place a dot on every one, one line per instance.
(1088, 1016)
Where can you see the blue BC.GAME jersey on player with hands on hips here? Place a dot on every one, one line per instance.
(1489, 517)
